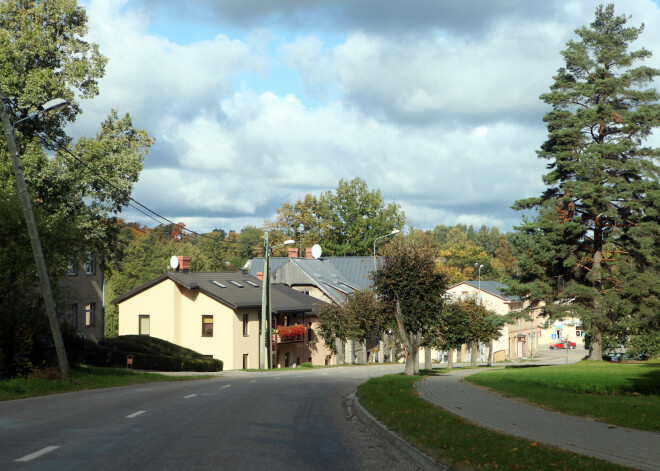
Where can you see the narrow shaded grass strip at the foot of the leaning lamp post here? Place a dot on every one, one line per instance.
(82, 377)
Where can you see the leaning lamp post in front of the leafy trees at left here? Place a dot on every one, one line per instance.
(46, 289)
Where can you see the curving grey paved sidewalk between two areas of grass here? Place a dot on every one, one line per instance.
(623, 446)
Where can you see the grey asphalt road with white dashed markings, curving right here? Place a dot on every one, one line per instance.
(238, 421)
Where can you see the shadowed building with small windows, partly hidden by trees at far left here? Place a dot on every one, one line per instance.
(83, 305)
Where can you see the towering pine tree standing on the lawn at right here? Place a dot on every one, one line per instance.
(592, 251)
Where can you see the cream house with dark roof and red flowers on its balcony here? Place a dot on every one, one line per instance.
(216, 314)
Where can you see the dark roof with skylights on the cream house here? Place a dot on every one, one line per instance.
(241, 290)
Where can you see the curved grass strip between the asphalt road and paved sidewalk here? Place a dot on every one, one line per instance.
(455, 442)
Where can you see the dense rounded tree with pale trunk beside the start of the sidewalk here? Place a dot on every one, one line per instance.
(411, 290)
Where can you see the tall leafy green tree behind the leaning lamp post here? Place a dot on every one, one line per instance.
(76, 191)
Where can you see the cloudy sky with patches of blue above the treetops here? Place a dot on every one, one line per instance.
(256, 103)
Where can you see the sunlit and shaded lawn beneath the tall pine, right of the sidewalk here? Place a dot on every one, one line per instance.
(622, 394)
